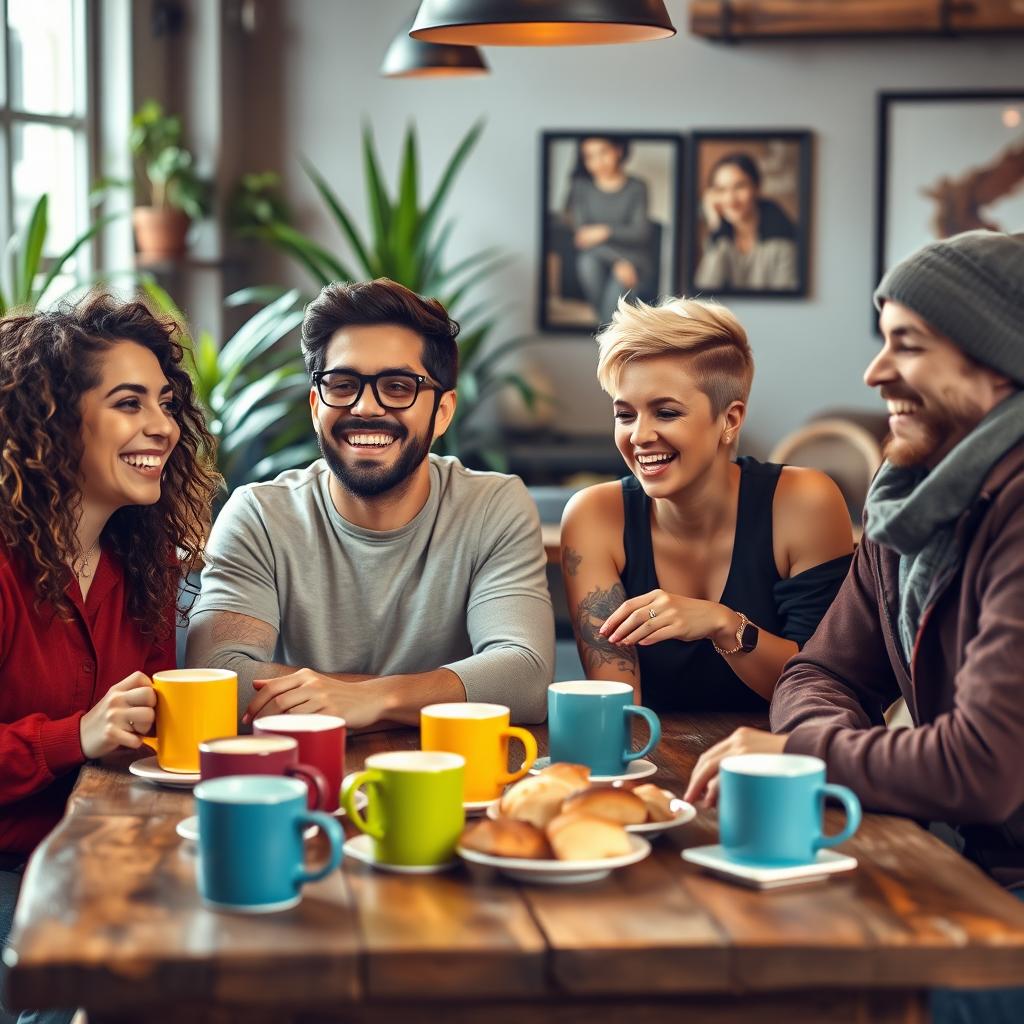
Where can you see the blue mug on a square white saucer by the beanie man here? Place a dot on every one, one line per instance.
(772, 808)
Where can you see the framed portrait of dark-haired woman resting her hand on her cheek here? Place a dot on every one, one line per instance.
(750, 211)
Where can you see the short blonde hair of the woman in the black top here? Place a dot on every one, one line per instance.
(706, 334)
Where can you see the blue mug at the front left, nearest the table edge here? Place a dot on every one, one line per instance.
(251, 851)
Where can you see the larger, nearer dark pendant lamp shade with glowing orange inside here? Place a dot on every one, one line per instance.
(541, 23)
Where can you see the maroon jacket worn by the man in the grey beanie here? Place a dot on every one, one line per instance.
(964, 763)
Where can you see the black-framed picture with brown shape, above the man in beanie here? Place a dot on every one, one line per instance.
(949, 162)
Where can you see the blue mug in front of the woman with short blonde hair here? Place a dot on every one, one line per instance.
(589, 724)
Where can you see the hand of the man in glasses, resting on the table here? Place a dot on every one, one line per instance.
(309, 693)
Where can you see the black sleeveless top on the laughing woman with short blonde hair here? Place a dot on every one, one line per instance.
(677, 675)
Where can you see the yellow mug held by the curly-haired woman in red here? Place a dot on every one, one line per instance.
(193, 706)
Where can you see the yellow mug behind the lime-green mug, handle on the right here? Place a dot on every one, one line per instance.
(481, 733)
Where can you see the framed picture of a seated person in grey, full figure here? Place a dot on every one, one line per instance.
(610, 224)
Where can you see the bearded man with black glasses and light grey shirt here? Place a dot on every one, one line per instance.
(381, 578)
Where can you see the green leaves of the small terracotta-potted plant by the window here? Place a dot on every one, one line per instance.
(156, 141)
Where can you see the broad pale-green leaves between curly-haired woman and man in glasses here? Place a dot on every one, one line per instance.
(254, 391)
